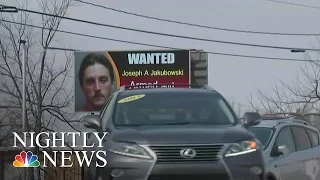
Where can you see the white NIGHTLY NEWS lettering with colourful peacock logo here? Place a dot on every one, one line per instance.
(28, 159)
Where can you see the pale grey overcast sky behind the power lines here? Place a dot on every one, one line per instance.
(234, 77)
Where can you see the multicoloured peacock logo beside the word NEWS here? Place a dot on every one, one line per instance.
(26, 159)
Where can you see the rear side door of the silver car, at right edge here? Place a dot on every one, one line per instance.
(306, 154)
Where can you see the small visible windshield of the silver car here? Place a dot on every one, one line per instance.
(263, 134)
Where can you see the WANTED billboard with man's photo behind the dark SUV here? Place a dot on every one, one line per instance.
(99, 73)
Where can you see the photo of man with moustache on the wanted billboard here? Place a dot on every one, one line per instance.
(95, 81)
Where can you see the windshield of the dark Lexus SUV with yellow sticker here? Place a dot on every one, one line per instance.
(172, 109)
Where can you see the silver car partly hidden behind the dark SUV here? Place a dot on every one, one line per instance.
(291, 149)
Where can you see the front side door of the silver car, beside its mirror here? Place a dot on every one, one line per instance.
(284, 166)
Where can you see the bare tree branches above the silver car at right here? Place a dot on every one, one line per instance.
(297, 99)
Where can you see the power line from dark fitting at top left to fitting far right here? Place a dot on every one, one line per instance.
(168, 35)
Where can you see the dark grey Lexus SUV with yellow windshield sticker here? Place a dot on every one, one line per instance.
(175, 133)
